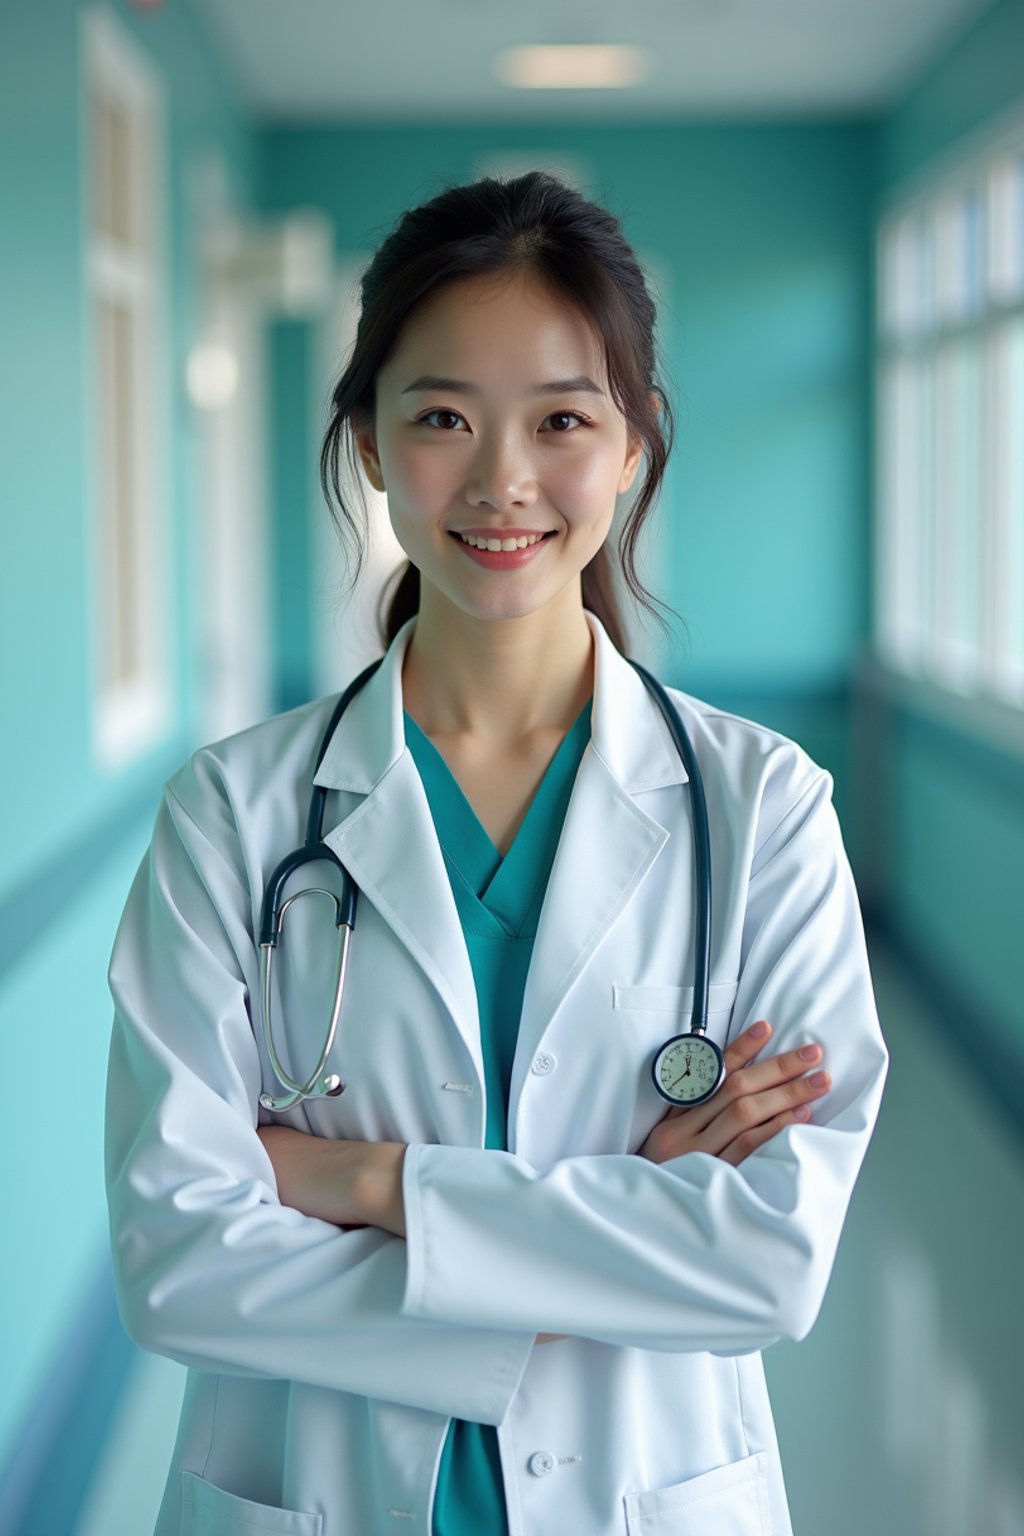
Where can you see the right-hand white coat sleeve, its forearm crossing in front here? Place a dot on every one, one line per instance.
(695, 1254)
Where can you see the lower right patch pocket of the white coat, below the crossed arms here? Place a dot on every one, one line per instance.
(730, 1501)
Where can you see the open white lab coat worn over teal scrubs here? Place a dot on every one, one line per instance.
(326, 1363)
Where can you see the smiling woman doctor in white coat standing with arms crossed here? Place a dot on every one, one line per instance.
(495, 1286)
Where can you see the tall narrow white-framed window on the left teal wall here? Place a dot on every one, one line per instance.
(124, 283)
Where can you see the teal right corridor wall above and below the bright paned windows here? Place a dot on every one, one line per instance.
(948, 873)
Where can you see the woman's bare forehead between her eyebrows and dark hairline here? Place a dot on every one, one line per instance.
(498, 325)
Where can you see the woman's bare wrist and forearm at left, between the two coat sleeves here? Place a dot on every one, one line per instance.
(349, 1183)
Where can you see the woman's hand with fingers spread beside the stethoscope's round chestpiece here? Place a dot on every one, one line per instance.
(755, 1104)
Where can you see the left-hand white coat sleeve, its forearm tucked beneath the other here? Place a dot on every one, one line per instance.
(211, 1270)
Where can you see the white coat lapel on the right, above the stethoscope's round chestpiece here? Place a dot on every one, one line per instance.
(609, 841)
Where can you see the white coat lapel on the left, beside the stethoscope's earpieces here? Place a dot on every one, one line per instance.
(389, 844)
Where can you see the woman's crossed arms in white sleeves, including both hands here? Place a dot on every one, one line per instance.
(696, 1256)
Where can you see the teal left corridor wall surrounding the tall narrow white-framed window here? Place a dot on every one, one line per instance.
(68, 829)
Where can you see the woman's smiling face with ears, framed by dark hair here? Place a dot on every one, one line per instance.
(521, 439)
